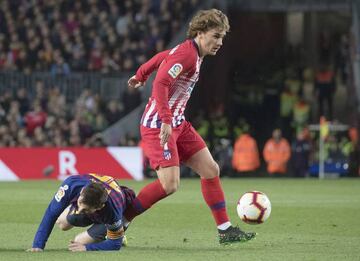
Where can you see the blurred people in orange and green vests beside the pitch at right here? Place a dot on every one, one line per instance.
(240, 153)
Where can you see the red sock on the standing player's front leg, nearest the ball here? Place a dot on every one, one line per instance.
(214, 197)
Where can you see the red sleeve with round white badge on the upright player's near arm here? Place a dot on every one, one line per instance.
(175, 65)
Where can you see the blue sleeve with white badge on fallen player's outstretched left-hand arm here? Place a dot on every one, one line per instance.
(57, 205)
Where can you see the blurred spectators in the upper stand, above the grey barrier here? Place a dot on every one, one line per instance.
(63, 36)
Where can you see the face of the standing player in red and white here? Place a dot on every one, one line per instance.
(211, 41)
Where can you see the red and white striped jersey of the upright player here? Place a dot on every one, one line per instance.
(178, 72)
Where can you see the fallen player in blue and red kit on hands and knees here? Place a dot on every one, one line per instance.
(84, 200)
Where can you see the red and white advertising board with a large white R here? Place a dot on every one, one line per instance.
(58, 163)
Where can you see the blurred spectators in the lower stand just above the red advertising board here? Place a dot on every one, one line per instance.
(46, 119)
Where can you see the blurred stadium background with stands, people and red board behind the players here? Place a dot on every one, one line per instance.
(281, 98)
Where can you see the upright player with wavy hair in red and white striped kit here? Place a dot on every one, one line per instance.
(168, 139)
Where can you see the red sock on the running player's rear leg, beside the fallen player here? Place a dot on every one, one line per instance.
(148, 196)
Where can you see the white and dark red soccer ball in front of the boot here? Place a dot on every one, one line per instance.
(254, 207)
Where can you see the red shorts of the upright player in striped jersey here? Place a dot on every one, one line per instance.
(183, 143)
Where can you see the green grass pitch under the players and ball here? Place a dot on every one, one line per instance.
(310, 220)
